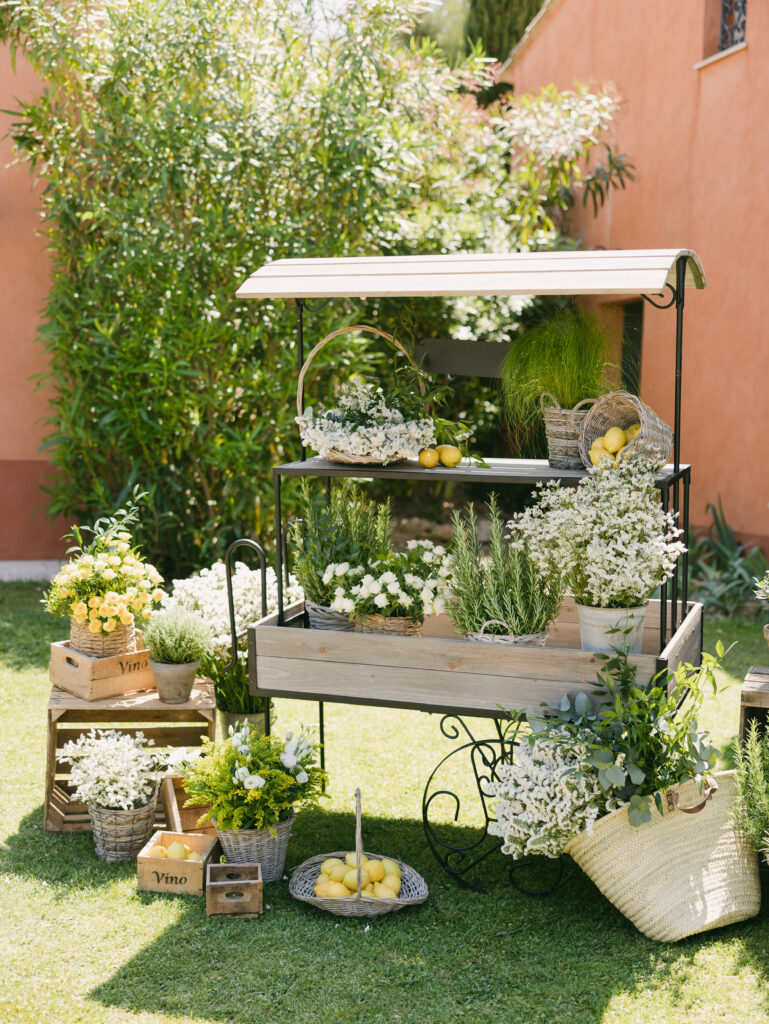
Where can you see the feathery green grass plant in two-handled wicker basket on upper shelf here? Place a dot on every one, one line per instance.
(551, 371)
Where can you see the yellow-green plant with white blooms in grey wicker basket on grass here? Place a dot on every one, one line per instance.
(254, 784)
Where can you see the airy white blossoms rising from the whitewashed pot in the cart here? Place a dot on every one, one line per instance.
(611, 537)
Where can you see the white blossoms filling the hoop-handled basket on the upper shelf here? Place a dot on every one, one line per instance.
(364, 425)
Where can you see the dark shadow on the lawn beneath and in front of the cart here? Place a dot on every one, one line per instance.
(480, 959)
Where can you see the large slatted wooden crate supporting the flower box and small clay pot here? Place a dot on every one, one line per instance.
(167, 726)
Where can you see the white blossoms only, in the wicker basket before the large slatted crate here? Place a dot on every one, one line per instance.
(112, 770)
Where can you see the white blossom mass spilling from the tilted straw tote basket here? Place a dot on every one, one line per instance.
(547, 796)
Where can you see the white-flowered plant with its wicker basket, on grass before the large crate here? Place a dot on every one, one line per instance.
(117, 777)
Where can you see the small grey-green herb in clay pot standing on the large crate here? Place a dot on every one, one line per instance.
(177, 642)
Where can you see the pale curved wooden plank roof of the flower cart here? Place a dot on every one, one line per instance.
(620, 272)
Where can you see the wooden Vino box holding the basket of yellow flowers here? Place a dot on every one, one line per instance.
(99, 678)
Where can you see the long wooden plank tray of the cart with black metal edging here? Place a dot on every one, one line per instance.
(442, 671)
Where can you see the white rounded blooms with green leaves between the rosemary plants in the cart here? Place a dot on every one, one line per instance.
(413, 583)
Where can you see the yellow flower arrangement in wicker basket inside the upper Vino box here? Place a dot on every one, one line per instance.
(107, 589)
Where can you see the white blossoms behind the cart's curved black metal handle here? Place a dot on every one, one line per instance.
(206, 593)
